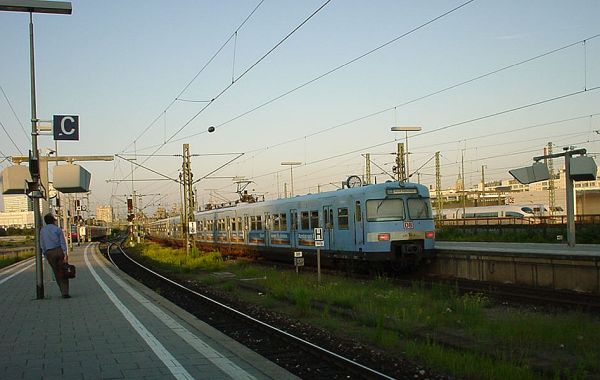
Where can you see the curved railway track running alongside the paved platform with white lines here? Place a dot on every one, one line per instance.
(302, 350)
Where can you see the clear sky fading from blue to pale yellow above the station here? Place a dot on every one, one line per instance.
(490, 83)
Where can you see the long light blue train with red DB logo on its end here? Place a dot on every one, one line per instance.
(390, 223)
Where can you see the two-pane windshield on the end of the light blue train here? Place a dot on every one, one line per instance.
(388, 209)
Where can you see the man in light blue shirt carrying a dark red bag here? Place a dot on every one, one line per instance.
(54, 248)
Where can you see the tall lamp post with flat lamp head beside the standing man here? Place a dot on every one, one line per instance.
(31, 7)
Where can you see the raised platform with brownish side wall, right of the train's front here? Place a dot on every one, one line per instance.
(554, 266)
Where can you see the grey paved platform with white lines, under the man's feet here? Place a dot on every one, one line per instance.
(111, 328)
